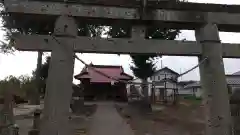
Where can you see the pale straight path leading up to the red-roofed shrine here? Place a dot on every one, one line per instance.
(107, 121)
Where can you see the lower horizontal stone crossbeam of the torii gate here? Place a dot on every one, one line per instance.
(121, 46)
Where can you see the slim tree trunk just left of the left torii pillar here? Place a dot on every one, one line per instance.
(35, 99)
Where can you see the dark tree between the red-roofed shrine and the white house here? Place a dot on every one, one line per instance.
(143, 65)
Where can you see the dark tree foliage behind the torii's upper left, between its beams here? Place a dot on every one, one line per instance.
(13, 26)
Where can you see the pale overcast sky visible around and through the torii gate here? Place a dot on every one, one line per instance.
(22, 63)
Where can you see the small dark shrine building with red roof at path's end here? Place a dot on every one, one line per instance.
(98, 85)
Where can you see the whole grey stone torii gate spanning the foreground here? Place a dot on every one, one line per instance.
(205, 19)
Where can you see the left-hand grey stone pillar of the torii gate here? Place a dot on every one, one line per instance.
(59, 82)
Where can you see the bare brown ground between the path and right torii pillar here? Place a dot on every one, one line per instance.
(183, 119)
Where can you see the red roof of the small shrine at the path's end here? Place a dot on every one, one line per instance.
(115, 72)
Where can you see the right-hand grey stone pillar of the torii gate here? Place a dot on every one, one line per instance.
(213, 82)
